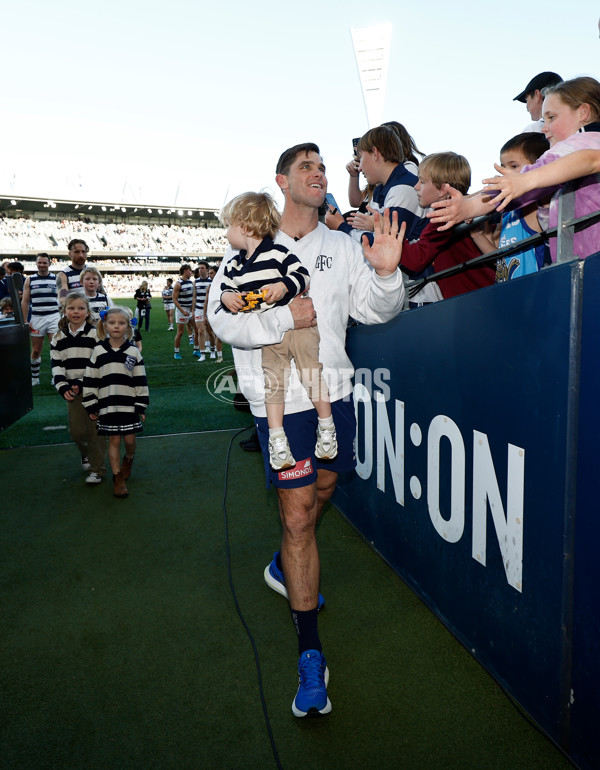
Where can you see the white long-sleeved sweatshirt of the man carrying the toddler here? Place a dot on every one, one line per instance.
(342, 285)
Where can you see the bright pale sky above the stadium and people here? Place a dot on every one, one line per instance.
(153, 102)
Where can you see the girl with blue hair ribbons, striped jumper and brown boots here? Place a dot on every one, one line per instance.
(115, 391)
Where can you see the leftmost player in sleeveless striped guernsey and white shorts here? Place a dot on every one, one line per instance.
(41, 293)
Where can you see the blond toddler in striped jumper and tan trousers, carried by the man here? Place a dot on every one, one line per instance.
(252, 220)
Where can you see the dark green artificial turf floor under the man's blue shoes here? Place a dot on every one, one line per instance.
(122, 647)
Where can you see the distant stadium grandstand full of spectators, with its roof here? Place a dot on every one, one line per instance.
(127, 243)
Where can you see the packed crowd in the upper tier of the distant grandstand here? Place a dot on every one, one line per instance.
(25, 233)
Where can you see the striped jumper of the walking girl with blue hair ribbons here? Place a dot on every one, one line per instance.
(115, 380)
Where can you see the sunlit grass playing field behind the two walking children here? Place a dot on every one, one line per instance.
(179, 399)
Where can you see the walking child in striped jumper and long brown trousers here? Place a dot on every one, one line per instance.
(70, 351)
